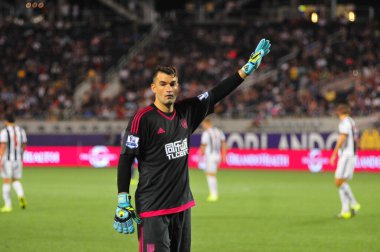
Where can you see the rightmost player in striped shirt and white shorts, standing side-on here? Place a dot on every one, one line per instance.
(346, 148)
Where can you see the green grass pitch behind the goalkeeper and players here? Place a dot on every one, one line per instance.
(72, 210)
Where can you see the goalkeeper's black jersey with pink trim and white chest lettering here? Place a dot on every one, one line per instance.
(160, 141)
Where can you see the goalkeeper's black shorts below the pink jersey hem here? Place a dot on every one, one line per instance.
(166, 233)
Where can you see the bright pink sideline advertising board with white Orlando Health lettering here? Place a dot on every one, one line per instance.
(102, 156)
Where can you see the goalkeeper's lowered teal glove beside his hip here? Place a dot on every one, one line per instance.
(124, 215)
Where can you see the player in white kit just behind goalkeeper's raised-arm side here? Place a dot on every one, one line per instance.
(214, 148)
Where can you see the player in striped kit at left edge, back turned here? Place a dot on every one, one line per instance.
(12, 144)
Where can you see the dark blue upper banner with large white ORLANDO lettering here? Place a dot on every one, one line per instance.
(247, 140)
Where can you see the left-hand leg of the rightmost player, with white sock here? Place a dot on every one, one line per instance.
(340, 178)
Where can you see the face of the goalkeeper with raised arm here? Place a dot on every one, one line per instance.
(166, 88)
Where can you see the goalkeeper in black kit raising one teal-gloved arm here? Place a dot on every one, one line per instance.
(158, 136)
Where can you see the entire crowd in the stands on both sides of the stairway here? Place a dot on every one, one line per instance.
(43, 63)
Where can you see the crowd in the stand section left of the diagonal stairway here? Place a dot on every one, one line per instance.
(46, 56)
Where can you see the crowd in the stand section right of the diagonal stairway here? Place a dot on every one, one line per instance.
(323, 55)
